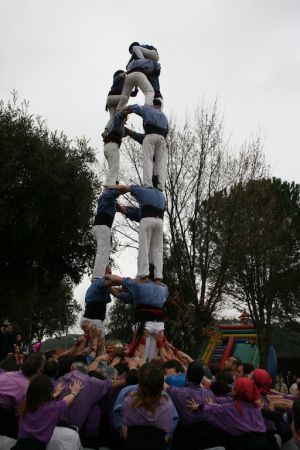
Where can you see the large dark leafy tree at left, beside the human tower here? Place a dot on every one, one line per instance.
(47, 192)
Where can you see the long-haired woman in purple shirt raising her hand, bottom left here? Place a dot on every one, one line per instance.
(40, 413)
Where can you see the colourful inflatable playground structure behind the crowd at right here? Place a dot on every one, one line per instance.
(232, 340)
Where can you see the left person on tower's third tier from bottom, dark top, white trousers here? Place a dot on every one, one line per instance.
(112, 141)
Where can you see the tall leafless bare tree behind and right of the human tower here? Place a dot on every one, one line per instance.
(199, 165)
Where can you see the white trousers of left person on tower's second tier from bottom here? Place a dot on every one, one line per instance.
(102, 234)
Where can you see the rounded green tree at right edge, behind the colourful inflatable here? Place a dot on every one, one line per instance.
(264, 264)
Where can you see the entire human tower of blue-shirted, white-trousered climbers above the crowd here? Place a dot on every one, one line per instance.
(146, 293)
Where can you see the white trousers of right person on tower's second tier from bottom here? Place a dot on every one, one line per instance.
(150, 246)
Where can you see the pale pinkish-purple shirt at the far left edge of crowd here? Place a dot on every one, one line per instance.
(13, 388)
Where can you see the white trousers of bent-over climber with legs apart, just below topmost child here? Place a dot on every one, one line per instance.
(140, 80)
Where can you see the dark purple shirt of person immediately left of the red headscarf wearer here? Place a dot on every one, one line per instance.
(180, 397)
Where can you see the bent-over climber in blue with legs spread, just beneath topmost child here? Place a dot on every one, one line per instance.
(137, 76)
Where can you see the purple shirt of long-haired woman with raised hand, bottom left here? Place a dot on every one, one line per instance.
(40, 424)
